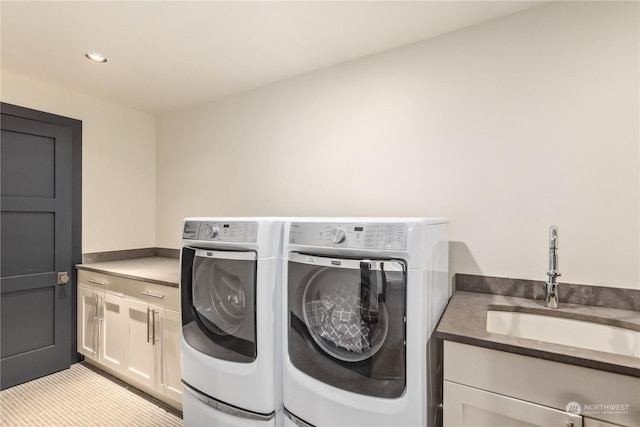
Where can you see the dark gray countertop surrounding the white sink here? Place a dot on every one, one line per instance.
(465, 320)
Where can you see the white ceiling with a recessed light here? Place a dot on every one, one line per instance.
(165, 56)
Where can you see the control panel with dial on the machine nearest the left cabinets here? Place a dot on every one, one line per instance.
(215, 231)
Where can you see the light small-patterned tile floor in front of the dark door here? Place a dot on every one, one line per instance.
(82, 396)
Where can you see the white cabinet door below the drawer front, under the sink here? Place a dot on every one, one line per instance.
(468, 406)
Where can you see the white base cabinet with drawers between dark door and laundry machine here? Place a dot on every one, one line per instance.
(133, 333)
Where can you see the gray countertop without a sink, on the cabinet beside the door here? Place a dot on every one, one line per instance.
(164, 271)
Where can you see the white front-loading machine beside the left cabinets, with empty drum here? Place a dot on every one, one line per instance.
(230, 309)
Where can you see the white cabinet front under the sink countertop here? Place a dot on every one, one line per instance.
(486, 387)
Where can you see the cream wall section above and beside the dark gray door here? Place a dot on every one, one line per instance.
(118, 162)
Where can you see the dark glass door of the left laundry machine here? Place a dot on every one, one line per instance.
(219, 299)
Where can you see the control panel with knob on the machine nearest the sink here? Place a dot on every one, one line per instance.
(350, 235)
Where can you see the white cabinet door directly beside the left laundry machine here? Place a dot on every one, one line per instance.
(170, 370)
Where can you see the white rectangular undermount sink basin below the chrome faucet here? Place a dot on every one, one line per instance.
(560, 330)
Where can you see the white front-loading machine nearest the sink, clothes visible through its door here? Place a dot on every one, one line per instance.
(361, 300)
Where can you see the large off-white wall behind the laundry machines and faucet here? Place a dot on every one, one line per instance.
(505, 128)
